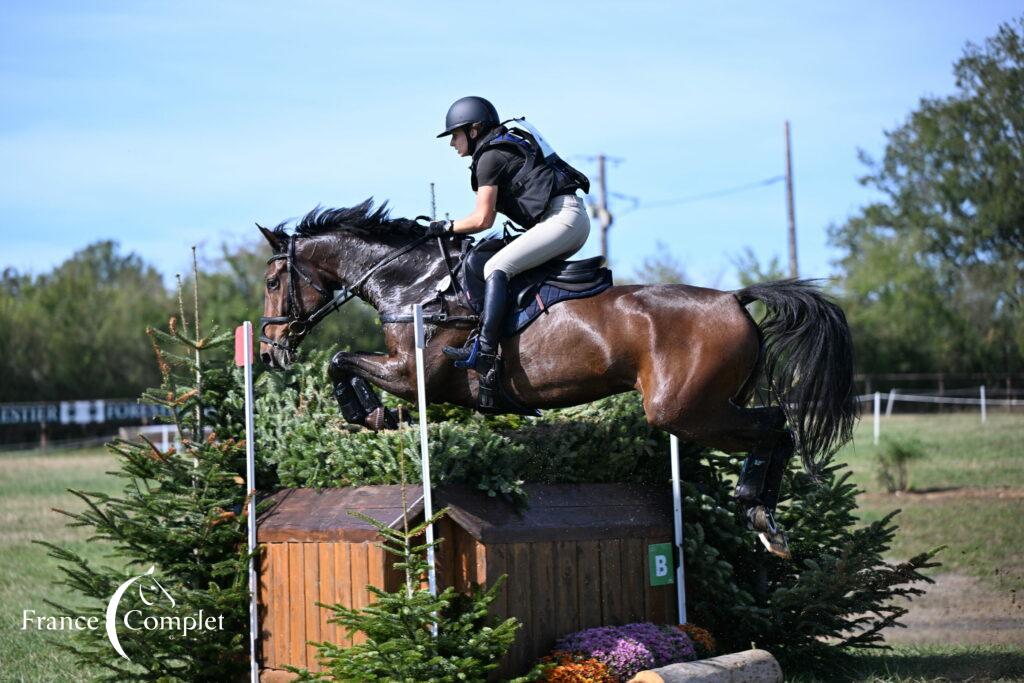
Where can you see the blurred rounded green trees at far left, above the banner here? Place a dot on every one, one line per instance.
(79, 331)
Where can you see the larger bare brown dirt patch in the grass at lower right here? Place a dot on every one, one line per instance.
(963, 611)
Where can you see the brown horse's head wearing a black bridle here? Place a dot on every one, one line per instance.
(296, 297)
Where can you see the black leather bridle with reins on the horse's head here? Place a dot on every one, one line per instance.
(298, 323)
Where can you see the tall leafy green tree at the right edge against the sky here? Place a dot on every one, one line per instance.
(931, 272)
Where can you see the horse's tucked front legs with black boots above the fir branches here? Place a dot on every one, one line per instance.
(359, 403)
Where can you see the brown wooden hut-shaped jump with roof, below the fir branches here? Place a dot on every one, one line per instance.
(579, 558)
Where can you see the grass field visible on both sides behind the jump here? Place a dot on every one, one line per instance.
(968, 495)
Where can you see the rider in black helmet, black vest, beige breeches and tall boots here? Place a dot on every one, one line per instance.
(510, 175)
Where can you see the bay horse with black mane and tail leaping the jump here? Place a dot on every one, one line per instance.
(696, 355)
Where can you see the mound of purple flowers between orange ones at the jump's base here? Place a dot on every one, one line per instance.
(631, 649)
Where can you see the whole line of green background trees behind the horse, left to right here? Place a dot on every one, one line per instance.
(929, 276)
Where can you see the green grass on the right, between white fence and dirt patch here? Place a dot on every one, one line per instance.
(985, 533)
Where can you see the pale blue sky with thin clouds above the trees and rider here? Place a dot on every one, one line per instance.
(163, 125)
